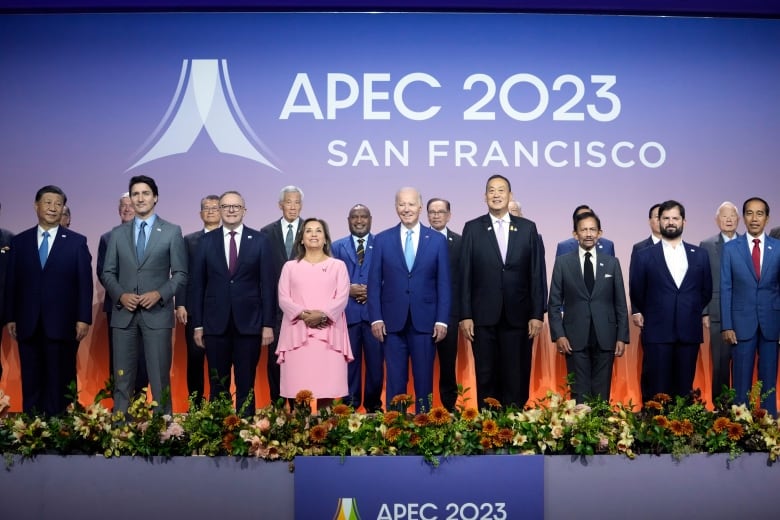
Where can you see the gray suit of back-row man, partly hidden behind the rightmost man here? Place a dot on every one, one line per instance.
(720, 351)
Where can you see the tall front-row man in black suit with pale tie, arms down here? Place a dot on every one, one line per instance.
(502, 296)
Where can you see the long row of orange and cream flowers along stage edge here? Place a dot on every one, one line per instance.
(551, 425)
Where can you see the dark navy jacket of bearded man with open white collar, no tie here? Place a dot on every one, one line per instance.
(670, 314)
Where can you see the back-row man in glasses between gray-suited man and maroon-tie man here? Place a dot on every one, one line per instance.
(196, 356)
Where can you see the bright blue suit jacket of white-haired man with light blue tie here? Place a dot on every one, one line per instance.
(394, 292)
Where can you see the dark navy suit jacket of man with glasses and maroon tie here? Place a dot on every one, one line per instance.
(249, 295)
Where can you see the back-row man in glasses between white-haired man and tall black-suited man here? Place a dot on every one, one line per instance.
(439, 214)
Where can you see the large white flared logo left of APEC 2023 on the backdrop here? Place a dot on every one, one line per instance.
(203, 101)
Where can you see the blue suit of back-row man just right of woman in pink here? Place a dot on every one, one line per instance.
(360, 338)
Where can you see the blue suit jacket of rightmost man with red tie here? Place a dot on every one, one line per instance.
(746, 302)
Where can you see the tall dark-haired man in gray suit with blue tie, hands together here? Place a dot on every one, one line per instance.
(146, 263)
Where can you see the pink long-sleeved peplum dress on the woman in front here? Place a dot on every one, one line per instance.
(309, 358)
